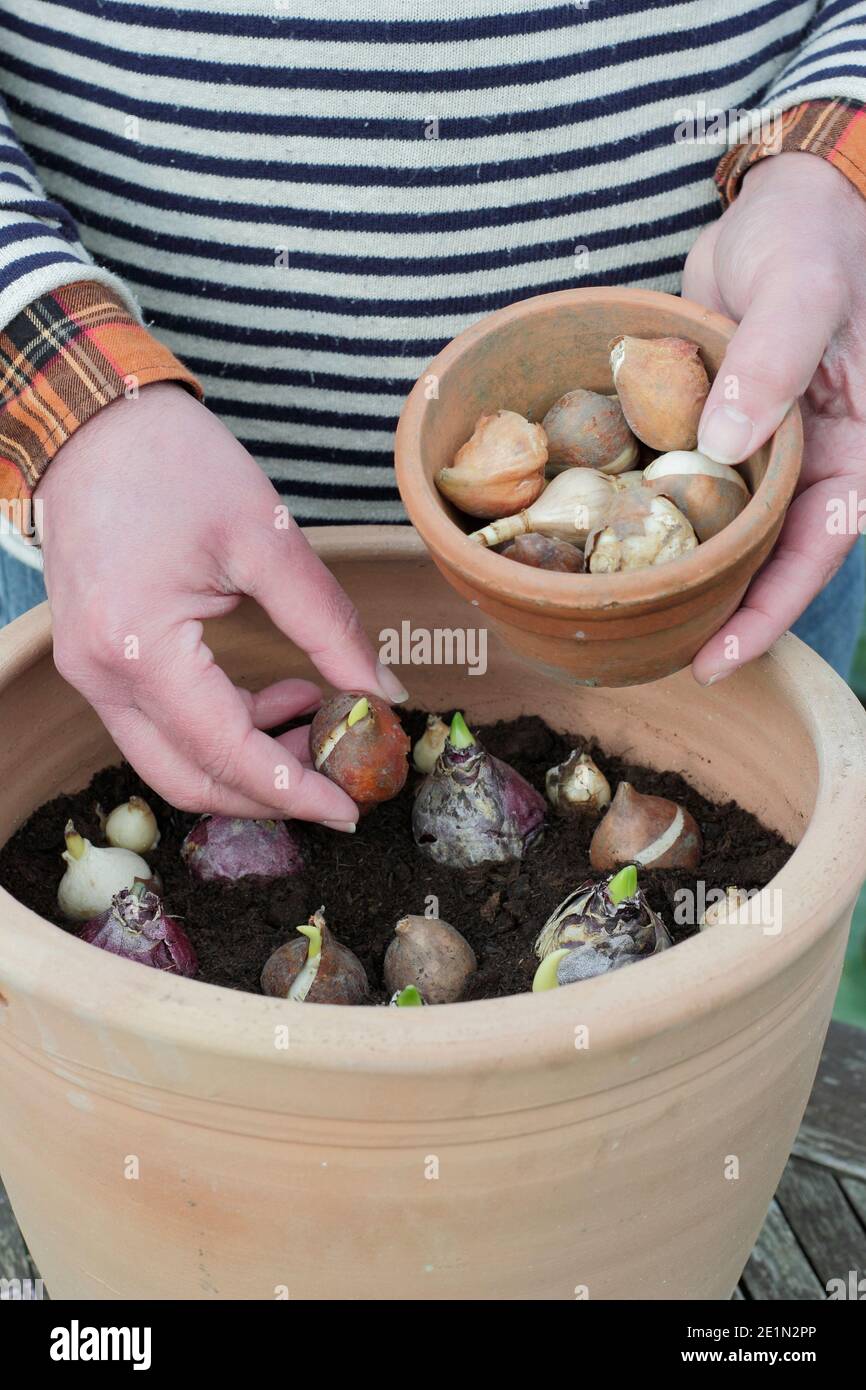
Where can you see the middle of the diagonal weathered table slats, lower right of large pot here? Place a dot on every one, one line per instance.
(826, 1228)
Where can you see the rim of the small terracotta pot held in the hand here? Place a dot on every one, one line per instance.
(664, 587)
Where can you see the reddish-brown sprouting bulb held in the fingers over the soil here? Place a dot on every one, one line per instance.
(359, 743)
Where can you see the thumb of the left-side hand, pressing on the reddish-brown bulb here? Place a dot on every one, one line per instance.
(307, 603)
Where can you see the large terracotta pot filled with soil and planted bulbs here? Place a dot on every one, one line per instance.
(472, 1152)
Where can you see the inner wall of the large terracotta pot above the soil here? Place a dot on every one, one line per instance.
(740, 740)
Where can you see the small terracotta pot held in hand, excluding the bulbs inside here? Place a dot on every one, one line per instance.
(600, 630)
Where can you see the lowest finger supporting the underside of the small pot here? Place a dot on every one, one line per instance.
(806, 559)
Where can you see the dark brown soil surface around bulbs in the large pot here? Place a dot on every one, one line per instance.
(368, 882)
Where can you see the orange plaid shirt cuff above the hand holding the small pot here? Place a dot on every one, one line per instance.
(833, 130)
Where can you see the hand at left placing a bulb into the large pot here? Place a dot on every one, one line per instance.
(155, 519)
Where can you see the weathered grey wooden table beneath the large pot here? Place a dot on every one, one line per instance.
(817, 1227)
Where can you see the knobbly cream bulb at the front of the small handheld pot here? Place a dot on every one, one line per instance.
(640, 533)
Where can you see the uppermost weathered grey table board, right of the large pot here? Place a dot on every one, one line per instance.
(835, 1127)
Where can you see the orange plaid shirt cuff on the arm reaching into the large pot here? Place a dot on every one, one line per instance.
(65, 358)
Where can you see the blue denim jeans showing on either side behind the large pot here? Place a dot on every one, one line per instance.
(831, 625)
